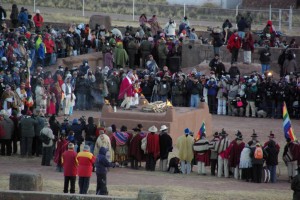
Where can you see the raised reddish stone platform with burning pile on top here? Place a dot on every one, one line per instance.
(176, 118)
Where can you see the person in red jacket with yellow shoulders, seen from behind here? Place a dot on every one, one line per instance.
(85, 167)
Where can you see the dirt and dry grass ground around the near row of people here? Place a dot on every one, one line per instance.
(127, 182)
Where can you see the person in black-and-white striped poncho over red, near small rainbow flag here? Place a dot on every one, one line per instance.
(201, 148)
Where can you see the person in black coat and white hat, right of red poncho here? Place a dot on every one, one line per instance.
(165, 146)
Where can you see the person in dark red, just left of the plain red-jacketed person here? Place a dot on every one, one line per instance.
(62, 146)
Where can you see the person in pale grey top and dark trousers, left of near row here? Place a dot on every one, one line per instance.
(47, 148)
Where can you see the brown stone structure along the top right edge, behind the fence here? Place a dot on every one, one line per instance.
(262, 4)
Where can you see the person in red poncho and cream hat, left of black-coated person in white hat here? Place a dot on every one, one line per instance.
(152, 148)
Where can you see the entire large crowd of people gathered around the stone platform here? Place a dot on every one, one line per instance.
(136, 63)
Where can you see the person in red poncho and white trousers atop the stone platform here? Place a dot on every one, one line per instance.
(126, 91)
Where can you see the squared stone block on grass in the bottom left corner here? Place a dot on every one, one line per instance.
(25, 181)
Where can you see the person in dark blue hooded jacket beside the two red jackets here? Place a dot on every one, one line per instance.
(101, 170)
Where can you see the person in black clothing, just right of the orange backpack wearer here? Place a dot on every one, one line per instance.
(272, 159)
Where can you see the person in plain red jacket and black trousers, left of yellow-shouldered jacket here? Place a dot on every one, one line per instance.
(70, 163)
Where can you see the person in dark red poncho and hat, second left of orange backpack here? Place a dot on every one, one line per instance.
(235, 149)
